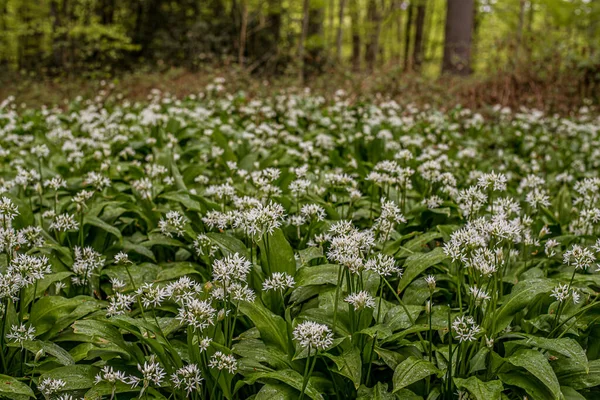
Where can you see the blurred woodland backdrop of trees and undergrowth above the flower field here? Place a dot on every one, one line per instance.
(545, 50)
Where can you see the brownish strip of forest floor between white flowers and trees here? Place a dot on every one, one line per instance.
(514, 89)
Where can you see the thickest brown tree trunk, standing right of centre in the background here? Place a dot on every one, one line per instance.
(458, 37)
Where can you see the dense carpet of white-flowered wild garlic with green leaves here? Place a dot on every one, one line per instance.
(297, 247)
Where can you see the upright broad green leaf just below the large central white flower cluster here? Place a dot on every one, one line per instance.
(277, 255)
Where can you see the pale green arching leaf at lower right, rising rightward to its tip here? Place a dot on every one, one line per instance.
(521, 296)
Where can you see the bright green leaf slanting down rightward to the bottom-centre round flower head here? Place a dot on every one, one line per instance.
(272, 328)
